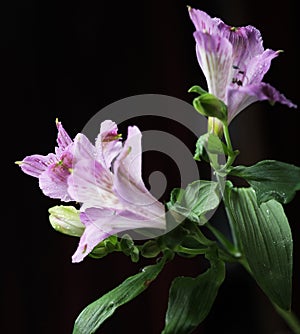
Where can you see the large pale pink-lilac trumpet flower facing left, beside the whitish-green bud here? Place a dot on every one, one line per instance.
(106, 179)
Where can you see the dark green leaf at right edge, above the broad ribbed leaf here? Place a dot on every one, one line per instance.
(271, 179)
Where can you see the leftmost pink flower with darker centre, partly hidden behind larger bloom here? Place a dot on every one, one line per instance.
(53, 169)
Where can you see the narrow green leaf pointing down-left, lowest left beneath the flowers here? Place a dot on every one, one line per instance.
(90, 319)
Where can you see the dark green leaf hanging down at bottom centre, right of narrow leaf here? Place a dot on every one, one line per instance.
(191, 299)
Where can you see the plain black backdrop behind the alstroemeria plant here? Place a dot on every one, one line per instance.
(68, 60)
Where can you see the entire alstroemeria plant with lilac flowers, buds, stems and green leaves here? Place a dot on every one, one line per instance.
(113, 210)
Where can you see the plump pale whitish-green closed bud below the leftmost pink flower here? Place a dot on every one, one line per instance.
(65, 219)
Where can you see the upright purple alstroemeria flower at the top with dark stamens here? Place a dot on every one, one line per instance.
(234, 63)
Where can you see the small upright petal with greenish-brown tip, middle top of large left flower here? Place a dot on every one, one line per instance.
(108, 144)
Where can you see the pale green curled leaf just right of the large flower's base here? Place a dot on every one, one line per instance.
(196, 200)
